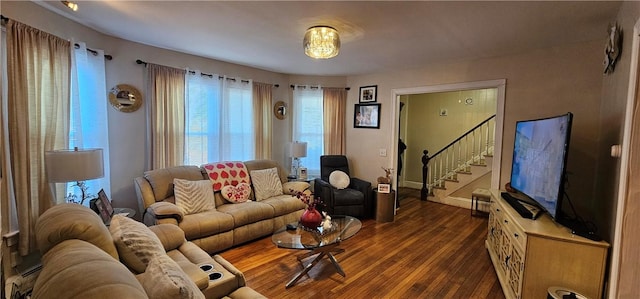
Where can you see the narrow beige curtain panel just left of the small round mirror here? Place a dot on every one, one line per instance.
(262, 97)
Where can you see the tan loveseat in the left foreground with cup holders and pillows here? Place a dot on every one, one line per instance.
(83, 259)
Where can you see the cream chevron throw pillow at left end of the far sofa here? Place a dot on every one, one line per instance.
(194, 196)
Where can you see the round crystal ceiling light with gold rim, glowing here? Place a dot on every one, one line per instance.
(321, 42)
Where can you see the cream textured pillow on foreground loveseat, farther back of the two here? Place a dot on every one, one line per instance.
(136, 243)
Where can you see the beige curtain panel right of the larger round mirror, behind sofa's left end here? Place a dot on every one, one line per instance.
(165, 88)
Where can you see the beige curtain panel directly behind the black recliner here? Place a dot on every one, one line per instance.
(334, 108)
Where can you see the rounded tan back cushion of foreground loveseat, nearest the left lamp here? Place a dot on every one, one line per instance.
(72, 221)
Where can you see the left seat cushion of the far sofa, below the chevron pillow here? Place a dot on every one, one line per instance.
(205, 224)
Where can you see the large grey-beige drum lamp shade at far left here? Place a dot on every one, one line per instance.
(74, 165)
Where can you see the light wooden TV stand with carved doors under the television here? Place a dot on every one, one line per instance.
(532, 255)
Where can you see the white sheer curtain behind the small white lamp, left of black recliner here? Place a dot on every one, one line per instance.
(308, 125)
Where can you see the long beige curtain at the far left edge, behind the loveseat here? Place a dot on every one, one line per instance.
(39, 72)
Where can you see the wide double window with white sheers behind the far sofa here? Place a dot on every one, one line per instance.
(219, 120)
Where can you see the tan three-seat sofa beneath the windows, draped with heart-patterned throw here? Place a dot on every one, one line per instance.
(228, 224)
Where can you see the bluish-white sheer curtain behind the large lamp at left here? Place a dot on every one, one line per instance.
(89, 125)
